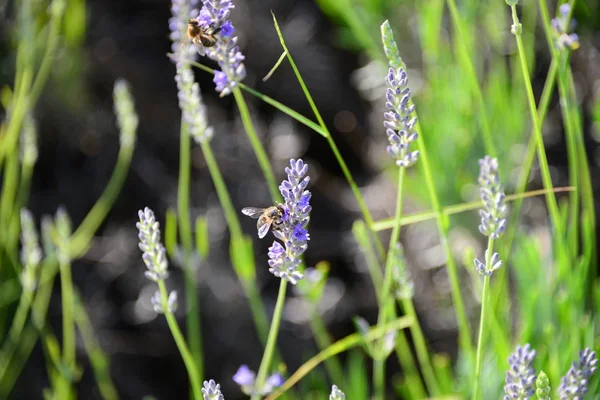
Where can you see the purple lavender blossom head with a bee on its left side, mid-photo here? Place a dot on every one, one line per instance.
(284, 261)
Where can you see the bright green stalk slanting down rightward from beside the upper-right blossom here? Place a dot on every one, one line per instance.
(443, 224)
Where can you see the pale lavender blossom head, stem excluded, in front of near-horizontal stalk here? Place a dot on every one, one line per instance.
(493, 216)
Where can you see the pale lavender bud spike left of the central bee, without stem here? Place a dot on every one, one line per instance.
(154, 253)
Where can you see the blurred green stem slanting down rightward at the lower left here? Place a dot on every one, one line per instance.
(98, 358)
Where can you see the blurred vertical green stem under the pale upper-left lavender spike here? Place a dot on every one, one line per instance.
(194, 332)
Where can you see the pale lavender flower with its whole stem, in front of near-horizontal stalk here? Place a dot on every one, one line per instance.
(493, 224)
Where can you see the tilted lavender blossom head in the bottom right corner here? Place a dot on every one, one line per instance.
(574, 385)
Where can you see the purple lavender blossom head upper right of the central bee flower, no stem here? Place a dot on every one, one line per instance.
(399, 122)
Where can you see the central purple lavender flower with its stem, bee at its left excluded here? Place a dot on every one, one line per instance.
(285, 259)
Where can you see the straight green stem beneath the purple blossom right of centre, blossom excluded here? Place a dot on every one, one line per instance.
(379, 362)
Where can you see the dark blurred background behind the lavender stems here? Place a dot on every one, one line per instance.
(79, 144)
